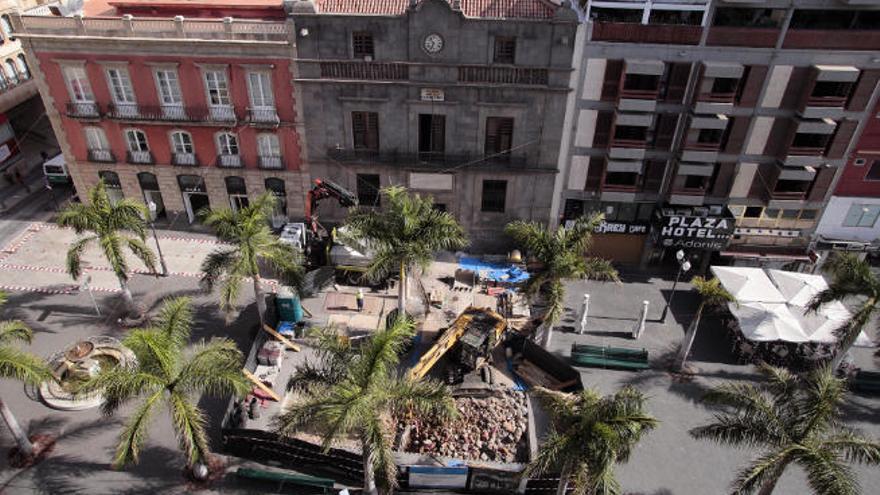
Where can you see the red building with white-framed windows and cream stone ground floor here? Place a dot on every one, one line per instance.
(177, 103)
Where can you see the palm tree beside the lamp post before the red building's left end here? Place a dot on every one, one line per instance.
(114, 227)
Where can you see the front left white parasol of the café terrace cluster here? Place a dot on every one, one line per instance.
(762, 322)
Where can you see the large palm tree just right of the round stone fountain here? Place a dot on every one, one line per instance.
(169, 373)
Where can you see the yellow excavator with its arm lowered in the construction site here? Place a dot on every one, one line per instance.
(474, 334)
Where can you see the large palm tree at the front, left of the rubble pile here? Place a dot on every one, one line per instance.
(365, 399)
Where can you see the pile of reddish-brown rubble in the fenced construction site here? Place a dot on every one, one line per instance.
(488, 428)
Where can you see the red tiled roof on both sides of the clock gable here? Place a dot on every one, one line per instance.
(494, 9)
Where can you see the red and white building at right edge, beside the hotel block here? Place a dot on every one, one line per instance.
(849, 221)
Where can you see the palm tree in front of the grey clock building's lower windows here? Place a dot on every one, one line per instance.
(404, 235)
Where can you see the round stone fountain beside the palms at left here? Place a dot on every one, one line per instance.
(74, 365)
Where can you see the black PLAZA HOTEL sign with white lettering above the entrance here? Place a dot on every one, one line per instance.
(695, 230)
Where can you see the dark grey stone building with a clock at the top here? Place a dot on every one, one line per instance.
(463, 100)
